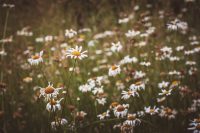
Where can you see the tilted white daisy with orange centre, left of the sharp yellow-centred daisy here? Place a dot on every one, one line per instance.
(36, 59)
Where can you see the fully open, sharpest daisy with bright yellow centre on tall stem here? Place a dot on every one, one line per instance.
(76, 53)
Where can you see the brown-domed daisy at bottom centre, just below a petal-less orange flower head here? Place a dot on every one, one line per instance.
(121, 110)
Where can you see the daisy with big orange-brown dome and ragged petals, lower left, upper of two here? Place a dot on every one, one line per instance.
(49, 92)
